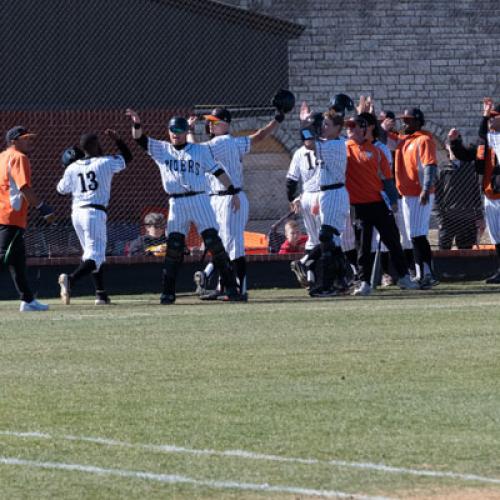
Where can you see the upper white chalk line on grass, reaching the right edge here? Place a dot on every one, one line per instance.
(258, 456)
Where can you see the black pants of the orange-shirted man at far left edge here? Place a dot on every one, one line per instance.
(13, 256)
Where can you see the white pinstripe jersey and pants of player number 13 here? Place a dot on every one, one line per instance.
(89, 182)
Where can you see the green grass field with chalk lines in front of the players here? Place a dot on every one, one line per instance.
(396, 395)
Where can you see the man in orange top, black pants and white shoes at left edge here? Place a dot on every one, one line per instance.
(16, 195)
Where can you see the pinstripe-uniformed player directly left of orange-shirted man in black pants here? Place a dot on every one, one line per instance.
(331, 158)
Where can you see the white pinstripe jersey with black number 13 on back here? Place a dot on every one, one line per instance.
(89, 180)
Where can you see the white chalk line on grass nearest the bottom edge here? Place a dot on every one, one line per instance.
(176, 479)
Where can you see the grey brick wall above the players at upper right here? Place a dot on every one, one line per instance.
(442, 56)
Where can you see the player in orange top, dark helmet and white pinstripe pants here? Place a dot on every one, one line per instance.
(415, 172)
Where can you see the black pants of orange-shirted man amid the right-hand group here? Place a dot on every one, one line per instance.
(377, 215)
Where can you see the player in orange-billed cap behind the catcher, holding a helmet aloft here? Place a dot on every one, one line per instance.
(228, 151)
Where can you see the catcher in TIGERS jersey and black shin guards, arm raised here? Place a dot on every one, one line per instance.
(183, 167)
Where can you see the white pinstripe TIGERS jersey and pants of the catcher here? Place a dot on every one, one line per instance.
(183, 171)
